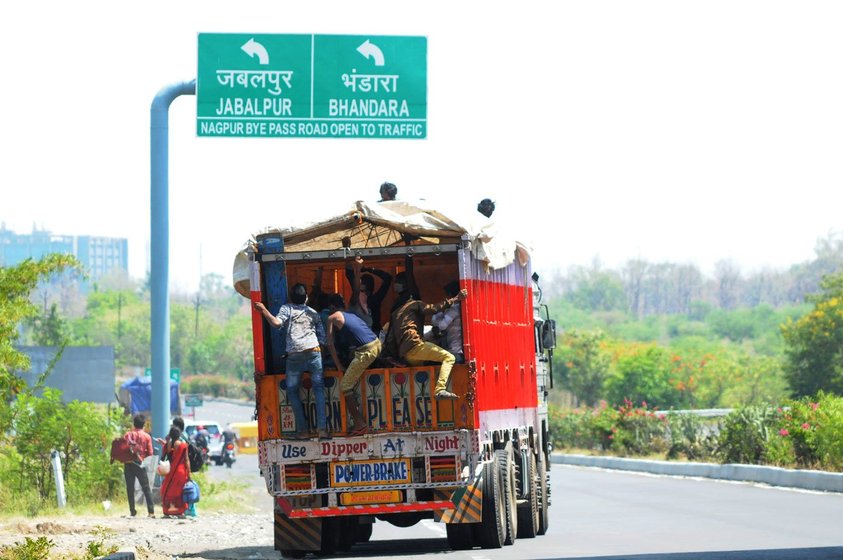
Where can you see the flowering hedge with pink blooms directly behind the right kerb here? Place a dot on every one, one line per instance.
(804, 433)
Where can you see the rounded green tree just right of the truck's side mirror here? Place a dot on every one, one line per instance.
(585, 364)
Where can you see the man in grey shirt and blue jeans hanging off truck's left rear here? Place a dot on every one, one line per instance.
(305, 334)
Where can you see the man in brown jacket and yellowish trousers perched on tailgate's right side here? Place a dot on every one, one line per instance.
(405, 332)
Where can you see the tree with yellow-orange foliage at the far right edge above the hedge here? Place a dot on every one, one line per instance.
(814, 343)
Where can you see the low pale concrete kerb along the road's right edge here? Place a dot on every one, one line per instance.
(774, 476)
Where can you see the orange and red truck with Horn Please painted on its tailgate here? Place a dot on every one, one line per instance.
(479, 463)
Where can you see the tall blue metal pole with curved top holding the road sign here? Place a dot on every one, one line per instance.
(160, 252)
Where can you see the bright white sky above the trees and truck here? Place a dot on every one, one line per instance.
(678, 131)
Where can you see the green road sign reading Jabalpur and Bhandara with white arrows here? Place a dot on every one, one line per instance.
(312, 86)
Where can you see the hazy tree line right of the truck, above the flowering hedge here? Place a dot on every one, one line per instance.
(727, 341)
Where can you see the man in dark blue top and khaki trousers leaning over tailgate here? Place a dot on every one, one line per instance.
(366, 346)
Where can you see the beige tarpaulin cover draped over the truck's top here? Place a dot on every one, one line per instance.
(383, 224)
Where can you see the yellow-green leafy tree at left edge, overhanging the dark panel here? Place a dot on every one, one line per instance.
(16, 285)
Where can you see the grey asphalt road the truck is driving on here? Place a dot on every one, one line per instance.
(609, 515)
